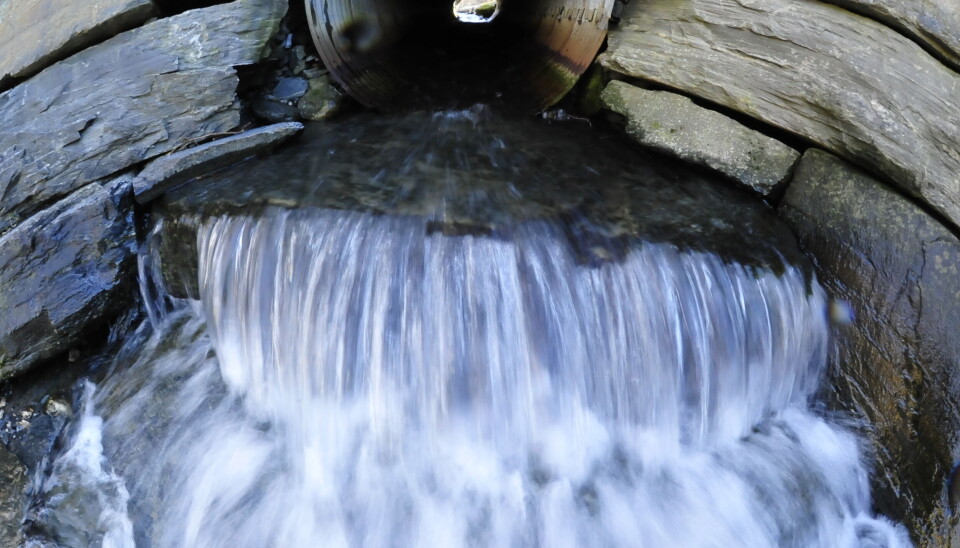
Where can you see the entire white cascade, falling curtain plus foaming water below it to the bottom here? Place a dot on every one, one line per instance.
(349, 378)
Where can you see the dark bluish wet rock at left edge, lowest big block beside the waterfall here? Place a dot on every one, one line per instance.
(62, 271)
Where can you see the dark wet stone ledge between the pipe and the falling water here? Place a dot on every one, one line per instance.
(474, 173)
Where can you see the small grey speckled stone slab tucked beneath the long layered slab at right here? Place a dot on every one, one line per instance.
(673, 124)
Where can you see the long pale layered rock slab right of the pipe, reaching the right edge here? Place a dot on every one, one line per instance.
(836, 78)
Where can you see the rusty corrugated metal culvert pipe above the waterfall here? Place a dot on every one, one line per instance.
(398, 54)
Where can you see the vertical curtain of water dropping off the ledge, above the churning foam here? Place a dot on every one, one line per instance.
(501, 336)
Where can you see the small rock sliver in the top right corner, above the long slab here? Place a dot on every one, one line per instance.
(933, 23)
